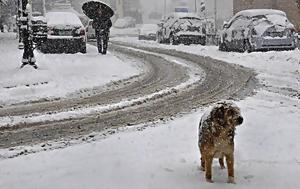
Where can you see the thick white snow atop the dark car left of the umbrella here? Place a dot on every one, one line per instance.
(63, 19)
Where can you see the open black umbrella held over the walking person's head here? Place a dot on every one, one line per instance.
(95, 9)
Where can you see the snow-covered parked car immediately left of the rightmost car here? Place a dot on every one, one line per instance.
(186, 28)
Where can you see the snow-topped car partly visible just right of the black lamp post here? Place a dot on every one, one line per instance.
(39, 28)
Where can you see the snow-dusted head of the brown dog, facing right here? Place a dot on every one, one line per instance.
(227, 114)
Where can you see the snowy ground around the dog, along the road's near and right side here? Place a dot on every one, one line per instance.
(166, 156)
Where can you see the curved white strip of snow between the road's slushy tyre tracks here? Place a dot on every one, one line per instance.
(84, 111)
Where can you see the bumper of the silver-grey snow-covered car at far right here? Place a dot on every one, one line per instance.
(274, 43)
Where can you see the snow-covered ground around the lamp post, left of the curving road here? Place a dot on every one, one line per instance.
(58, 75)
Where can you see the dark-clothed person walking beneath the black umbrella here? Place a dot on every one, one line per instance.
(102, 26)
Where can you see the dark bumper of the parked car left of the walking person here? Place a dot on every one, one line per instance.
(64, 44)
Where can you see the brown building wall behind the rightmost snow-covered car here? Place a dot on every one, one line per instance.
(288, 6)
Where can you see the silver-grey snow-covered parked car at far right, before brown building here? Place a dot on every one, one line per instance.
(258, 29)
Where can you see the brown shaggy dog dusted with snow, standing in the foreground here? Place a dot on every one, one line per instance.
(216, 137)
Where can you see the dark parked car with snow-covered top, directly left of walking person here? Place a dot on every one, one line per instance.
(66, 33)
